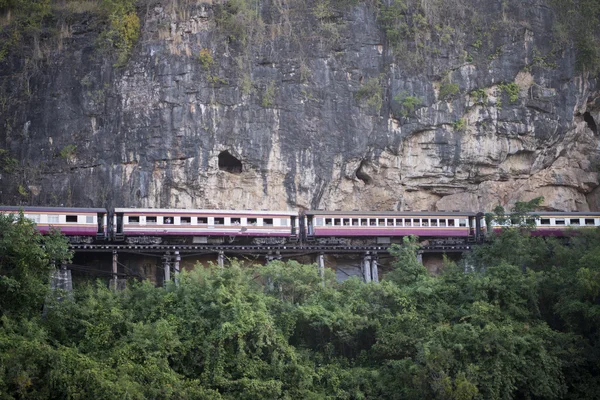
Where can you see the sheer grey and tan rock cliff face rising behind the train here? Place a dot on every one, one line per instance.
(305, 104)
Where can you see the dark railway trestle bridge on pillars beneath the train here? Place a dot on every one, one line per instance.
(161, 262)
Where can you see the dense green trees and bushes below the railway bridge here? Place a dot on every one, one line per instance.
(522, 323)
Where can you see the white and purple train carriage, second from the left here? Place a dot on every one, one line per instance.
(196, 226)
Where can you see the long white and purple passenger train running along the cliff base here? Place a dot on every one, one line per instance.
(198, 226)
